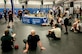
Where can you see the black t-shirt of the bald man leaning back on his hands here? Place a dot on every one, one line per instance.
(32, 41)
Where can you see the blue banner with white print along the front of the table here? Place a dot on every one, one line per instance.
(34, 20)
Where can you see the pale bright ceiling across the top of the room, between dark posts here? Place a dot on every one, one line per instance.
(33, 3)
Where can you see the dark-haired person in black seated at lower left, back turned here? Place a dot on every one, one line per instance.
(7, 41)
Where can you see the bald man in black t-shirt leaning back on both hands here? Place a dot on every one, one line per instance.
(32, 42)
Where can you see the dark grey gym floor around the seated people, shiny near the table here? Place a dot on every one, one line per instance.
(69, 44)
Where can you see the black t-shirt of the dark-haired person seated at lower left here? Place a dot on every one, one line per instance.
(6, 43)
